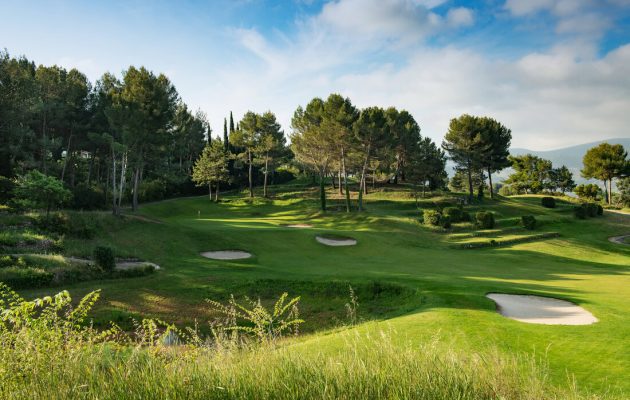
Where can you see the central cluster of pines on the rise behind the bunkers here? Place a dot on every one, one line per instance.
(334, 139)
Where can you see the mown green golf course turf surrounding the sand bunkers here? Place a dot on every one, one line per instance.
(408, 275)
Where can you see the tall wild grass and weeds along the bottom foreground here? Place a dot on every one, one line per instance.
(48, 350)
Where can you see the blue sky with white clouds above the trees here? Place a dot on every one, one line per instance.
(557, 72)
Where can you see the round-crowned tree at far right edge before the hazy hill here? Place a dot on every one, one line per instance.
(605, 162)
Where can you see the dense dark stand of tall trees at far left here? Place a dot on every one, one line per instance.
(121, 138)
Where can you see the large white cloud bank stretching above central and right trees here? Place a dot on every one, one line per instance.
(561, 96)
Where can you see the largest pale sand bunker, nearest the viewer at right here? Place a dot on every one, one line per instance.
(541, 310)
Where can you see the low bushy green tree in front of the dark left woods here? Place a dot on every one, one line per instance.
(36, 190)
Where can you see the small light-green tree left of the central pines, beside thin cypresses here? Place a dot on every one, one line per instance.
(212, 167)
